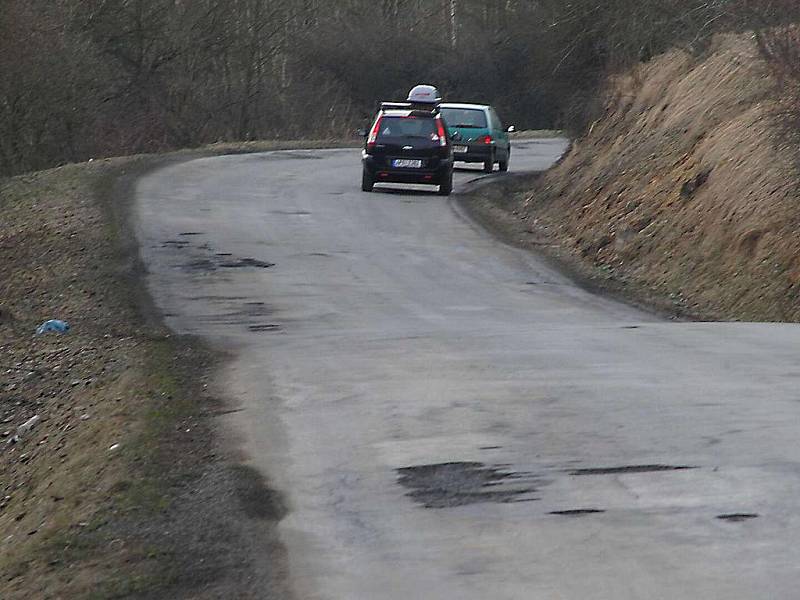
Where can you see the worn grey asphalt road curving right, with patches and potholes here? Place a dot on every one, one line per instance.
(426, 397)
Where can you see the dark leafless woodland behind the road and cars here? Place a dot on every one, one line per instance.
(91, 78)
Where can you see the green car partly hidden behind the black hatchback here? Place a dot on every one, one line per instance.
(477, 135)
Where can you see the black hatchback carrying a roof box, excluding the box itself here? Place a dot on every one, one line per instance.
(408, 144)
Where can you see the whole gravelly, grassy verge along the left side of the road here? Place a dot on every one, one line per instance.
(122, 488)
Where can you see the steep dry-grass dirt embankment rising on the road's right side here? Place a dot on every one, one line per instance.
(684, 193)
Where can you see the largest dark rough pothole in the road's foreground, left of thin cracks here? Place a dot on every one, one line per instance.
(461, 483)
